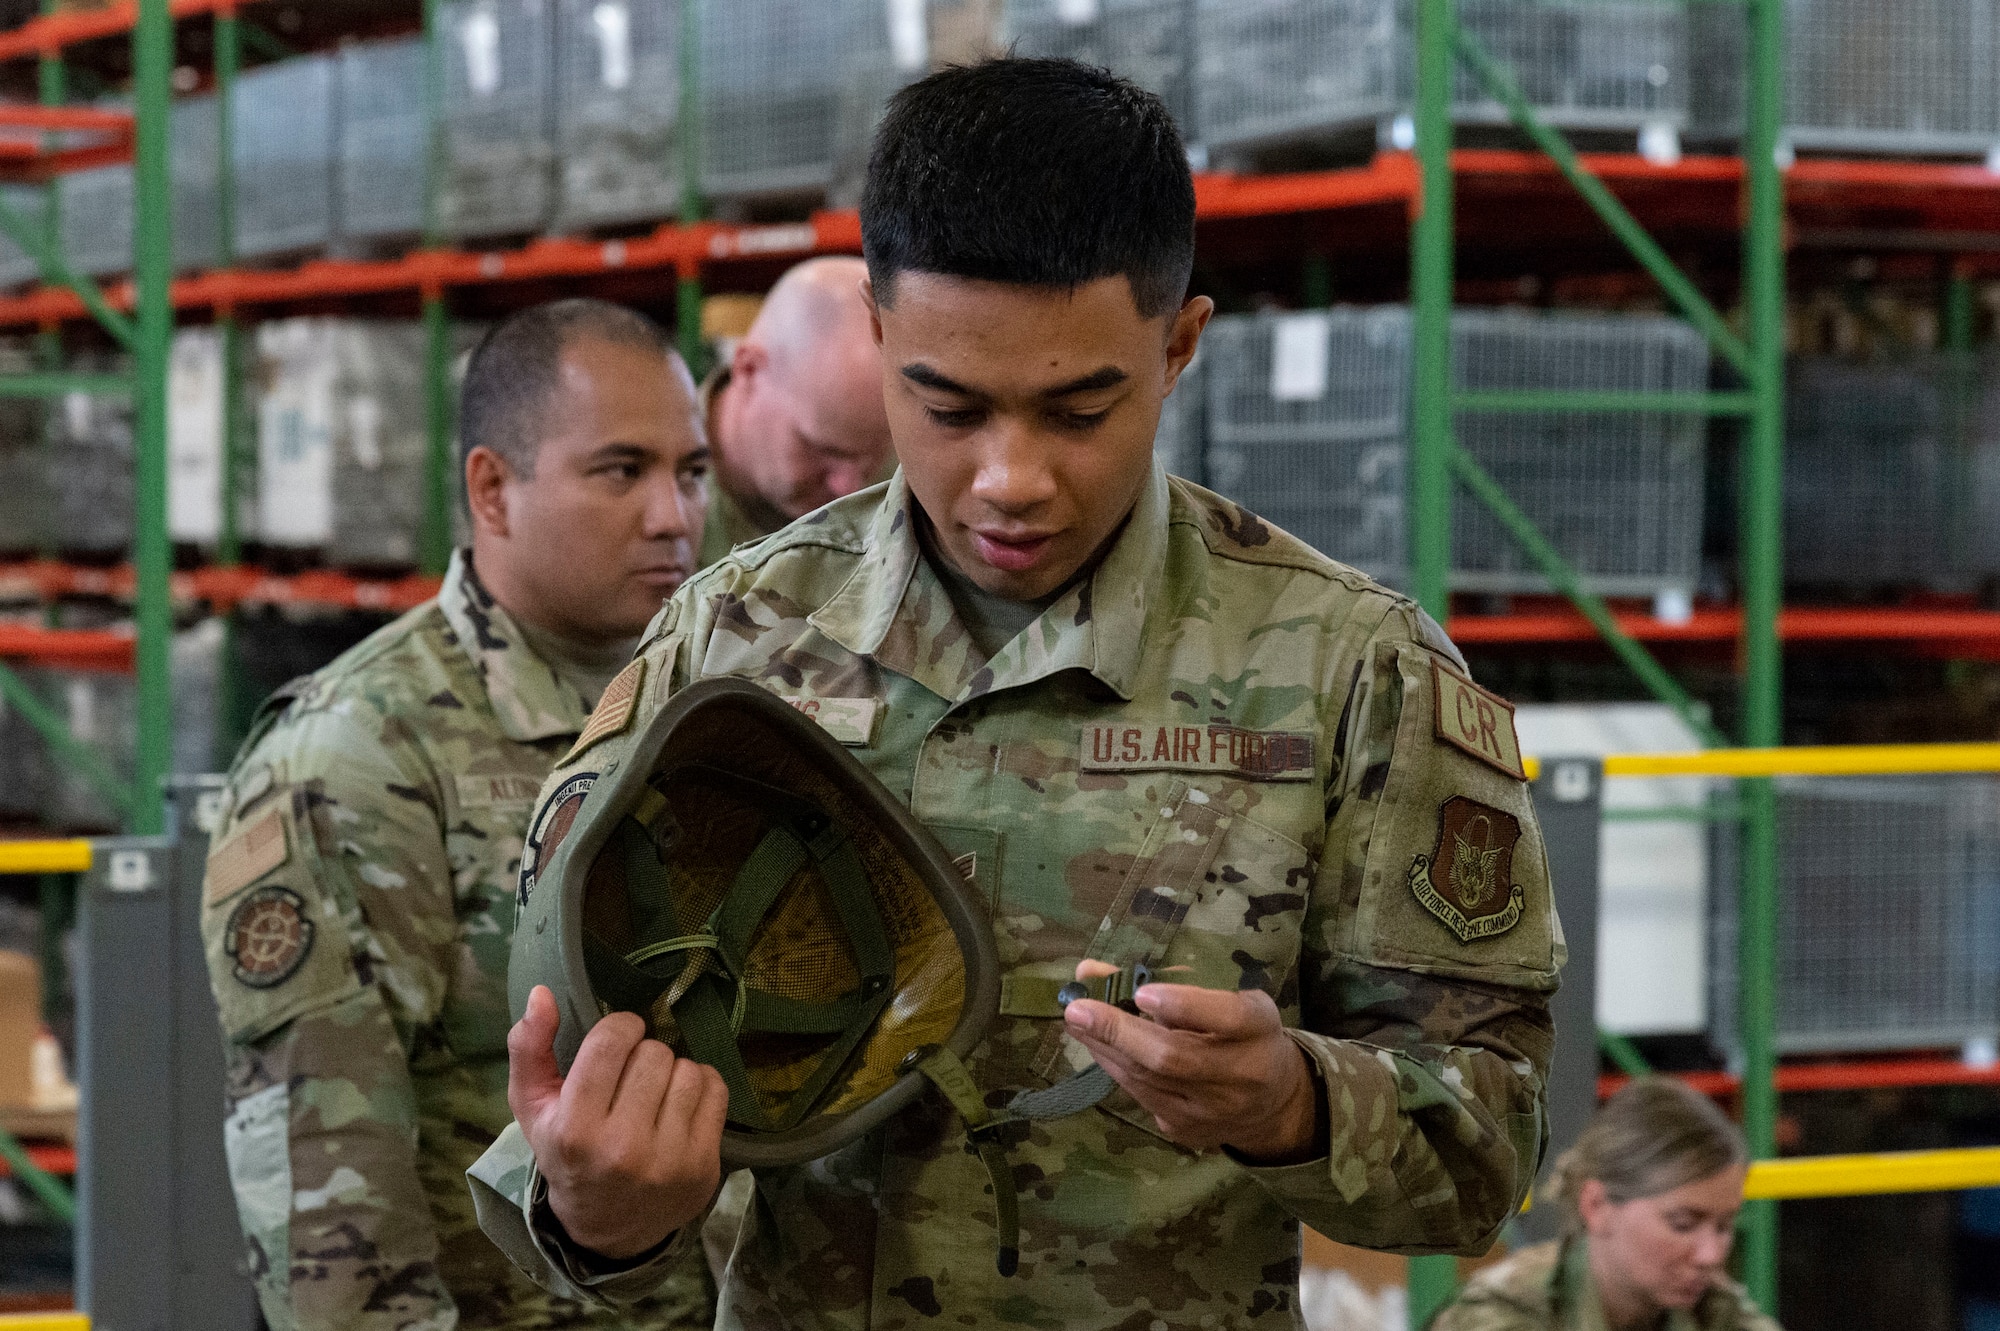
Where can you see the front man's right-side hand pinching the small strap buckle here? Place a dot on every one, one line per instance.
(1215, 1070)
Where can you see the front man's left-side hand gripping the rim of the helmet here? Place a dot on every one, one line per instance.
(631, 1142)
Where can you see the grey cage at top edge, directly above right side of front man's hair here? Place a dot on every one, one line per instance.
(1145, 41)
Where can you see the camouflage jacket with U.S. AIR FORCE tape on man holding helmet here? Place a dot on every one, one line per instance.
(1219, 750)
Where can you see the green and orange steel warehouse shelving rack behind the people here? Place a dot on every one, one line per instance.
(1835, 205)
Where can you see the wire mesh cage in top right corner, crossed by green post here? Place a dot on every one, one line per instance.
(1919, 77)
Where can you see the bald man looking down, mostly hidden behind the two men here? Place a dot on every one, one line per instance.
(795, 417)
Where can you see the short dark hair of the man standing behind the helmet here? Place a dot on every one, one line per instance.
(517, 369)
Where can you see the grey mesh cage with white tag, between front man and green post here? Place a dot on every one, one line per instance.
(1307, 423)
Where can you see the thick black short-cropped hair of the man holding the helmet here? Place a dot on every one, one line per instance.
(1039, 173)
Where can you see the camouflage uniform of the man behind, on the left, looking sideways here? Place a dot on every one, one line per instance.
(359, 914)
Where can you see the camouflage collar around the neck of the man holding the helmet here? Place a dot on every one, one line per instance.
(893, 609)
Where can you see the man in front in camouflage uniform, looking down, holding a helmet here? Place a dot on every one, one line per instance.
(1153, 730)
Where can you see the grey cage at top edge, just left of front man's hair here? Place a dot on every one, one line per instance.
(793, 89)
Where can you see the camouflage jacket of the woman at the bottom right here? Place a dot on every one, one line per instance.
(1549, 1288)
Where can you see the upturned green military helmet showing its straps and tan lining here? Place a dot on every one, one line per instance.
(741, 882)
